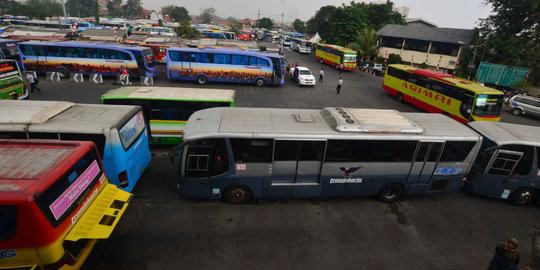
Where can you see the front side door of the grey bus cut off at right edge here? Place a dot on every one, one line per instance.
(499, 172)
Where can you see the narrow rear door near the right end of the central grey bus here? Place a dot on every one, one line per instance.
(423, 166)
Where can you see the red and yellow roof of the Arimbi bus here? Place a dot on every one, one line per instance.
(450, 79)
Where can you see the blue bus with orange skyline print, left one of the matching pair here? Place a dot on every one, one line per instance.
(87, 57)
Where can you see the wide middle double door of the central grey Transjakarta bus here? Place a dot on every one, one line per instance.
(296, 168)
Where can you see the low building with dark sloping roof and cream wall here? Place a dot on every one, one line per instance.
(421, 42)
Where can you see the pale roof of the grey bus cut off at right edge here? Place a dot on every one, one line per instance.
(506, 133)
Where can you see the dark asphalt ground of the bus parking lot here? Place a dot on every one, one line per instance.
(161, 230)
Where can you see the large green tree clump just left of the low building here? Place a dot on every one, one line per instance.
(339, 25)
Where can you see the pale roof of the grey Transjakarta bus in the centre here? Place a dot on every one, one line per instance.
(321, 124)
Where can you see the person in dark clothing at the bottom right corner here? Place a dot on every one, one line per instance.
(506, 256)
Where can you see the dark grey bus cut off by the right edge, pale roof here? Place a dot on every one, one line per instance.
(508, 165)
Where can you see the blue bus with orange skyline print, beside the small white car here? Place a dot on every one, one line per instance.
(225, 65)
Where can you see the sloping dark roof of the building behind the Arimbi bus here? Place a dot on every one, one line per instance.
(447, 35)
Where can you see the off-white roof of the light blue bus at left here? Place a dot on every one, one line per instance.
(55, 116)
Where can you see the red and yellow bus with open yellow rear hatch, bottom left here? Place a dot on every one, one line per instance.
(55, 203)
